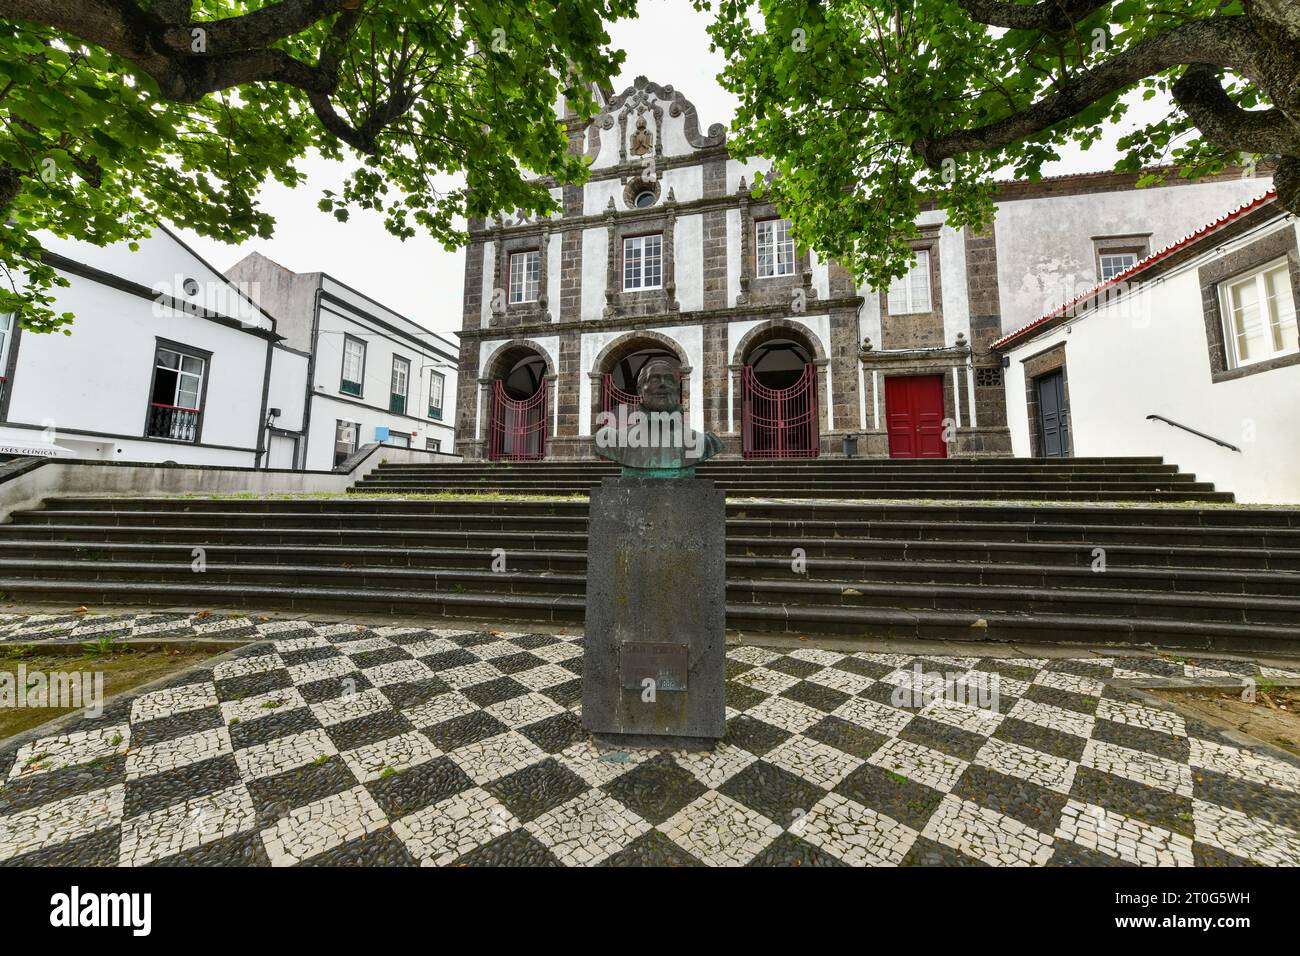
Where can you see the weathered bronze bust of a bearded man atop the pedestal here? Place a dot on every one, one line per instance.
(655, 440)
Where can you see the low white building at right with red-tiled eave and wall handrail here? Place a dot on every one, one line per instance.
(1193, 354)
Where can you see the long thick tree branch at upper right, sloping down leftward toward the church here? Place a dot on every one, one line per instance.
(1229, 42)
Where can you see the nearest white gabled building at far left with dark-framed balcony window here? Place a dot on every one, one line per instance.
(166, 361)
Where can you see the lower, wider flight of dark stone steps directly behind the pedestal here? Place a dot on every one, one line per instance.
(1186, 577)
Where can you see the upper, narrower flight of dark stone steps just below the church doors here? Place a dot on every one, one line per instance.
(955, 479)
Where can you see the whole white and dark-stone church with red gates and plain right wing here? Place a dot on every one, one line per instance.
(665, 252)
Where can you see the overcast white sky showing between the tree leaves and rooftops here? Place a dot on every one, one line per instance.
(424, 282)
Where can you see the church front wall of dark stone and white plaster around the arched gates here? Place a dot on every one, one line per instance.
(713, 309)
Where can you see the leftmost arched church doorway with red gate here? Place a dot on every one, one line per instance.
(519, 416)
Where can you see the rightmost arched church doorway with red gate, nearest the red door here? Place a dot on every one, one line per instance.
(779, 401)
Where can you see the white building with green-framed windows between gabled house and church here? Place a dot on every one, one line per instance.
(375, 375)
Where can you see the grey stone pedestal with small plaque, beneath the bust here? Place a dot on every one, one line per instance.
(655, 663)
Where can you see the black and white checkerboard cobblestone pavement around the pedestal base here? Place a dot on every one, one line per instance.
(392, 746)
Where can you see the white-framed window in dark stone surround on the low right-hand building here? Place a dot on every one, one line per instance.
(1259, 315)
